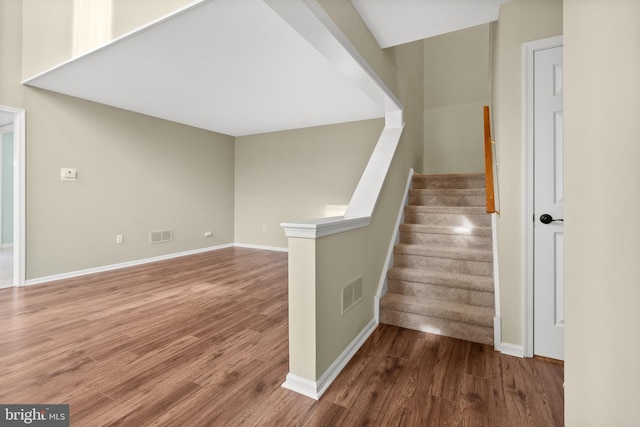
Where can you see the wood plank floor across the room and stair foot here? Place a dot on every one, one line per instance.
(202, 341)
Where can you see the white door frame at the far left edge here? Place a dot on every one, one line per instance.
(19, 133)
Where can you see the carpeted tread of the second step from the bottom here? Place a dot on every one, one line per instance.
(463, 281)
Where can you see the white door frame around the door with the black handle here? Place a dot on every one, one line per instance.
(529, 50)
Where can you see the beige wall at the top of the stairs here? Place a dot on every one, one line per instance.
(457, 84)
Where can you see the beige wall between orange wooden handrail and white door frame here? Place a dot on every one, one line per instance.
(520, 21)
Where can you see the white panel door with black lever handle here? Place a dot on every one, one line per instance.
(548, 205)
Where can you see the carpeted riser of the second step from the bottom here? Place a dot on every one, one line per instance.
(439, 292)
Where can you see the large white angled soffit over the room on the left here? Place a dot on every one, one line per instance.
(229, 66)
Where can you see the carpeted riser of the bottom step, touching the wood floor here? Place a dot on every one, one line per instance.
(450, 328)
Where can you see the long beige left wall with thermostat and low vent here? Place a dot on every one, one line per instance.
(136, 174)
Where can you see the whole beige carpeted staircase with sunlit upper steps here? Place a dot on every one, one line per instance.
(442, 278)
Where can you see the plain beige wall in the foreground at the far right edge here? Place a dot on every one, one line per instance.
(602, 153)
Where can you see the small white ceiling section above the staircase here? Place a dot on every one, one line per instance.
(394, 22)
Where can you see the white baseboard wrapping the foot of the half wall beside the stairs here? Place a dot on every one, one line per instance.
(316, 389)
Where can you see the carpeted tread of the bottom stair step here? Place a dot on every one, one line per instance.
(463, 313)
